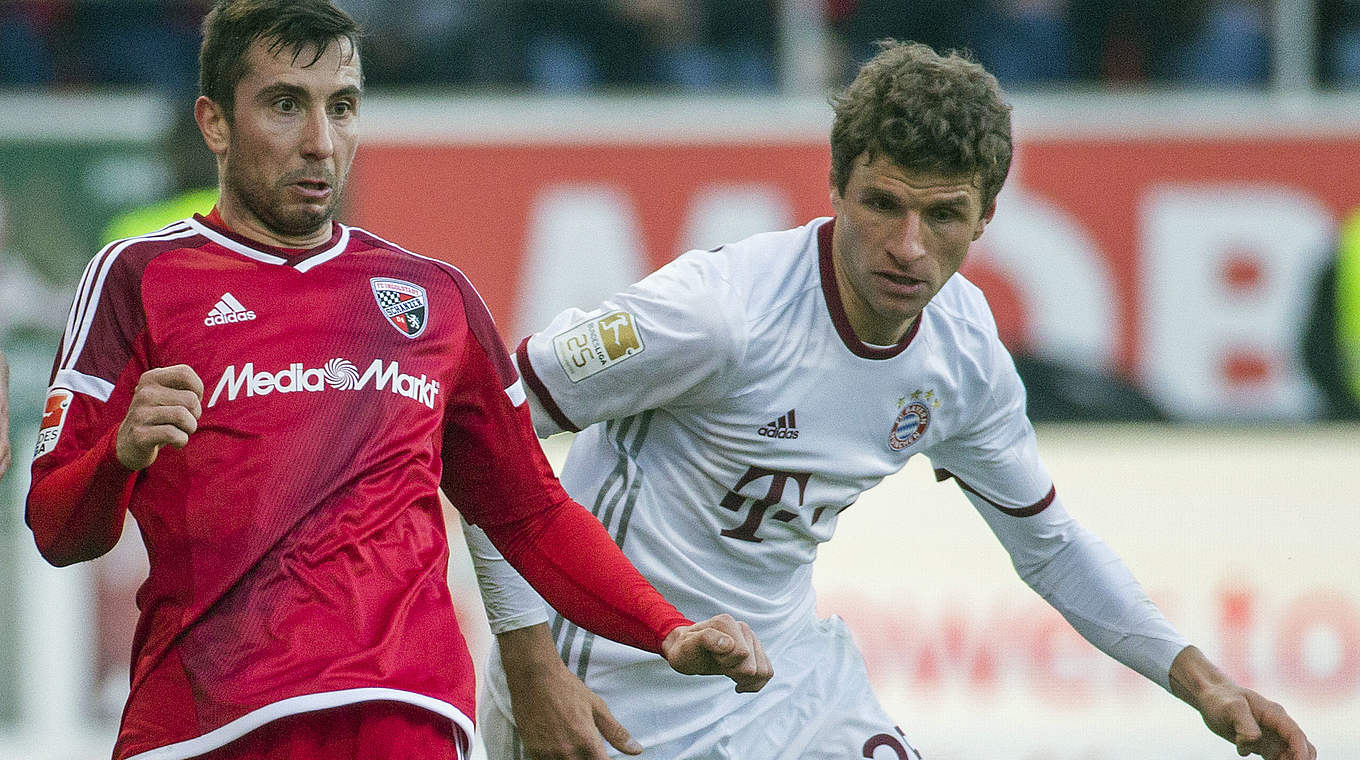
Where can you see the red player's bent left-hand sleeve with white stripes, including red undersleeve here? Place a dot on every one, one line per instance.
(80, 491)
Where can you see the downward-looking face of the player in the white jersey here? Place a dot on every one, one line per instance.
(900, 237)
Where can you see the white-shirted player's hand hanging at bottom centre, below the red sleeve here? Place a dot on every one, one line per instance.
(558, 717)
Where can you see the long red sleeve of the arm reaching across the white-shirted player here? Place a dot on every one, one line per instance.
(496, 472)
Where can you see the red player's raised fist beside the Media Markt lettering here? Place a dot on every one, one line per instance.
(165, 411)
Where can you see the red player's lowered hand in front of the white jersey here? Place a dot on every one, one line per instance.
(719, 646)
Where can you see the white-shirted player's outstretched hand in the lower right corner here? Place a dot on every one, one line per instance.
(1252, 723)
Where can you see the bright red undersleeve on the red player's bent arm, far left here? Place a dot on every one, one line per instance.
(77, 511)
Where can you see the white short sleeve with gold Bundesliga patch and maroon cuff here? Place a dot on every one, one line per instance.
(666, 342)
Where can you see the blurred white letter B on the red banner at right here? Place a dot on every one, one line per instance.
(1229, 275)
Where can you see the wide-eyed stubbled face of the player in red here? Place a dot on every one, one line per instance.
(292, 142)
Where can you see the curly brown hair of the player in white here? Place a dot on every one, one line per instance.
(927, 114)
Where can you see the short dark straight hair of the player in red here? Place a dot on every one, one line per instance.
(232, 27)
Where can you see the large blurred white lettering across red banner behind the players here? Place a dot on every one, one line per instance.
(1225, 279)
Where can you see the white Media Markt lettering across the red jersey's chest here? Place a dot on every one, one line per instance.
(339, 375)
